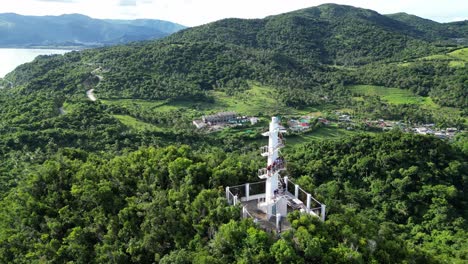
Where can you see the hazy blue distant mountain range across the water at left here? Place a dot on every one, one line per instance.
(78, 30)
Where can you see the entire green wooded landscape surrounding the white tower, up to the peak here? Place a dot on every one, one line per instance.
(128, 179)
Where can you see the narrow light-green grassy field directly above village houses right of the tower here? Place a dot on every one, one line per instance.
(391, 95)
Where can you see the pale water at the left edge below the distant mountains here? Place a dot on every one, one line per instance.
(11, 58)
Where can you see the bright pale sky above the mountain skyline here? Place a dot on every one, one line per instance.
(196, 12)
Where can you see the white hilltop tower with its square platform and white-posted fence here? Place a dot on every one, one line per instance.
(268, 202)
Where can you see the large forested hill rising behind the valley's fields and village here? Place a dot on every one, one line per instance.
(311, 52)
